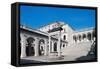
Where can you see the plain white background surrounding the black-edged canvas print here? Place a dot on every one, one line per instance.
(5, 21)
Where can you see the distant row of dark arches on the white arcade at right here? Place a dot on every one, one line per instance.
(84, 36)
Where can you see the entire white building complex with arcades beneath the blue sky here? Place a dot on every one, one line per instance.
(53, 39)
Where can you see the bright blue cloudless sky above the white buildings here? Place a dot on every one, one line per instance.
(37, 16)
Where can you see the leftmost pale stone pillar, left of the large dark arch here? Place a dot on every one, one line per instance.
(23, 46)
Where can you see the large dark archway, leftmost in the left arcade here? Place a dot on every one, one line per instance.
(30, 51)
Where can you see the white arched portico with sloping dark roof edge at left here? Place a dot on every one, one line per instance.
(36, 43)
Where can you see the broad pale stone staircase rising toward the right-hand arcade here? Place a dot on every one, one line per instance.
(77, 50)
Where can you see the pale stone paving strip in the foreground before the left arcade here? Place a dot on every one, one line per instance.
(51, 59)
